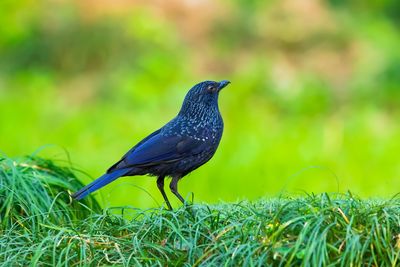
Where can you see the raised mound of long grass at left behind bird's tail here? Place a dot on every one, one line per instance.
(34, 191)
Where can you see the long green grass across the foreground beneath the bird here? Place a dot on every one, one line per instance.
(40, 225)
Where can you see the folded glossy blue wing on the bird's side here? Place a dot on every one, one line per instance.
(159, 149)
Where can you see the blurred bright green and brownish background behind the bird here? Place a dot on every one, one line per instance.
(313, 105)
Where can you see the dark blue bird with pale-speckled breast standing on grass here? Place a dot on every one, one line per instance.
(182, 145)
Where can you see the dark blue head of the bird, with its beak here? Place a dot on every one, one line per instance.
(205, 92)
